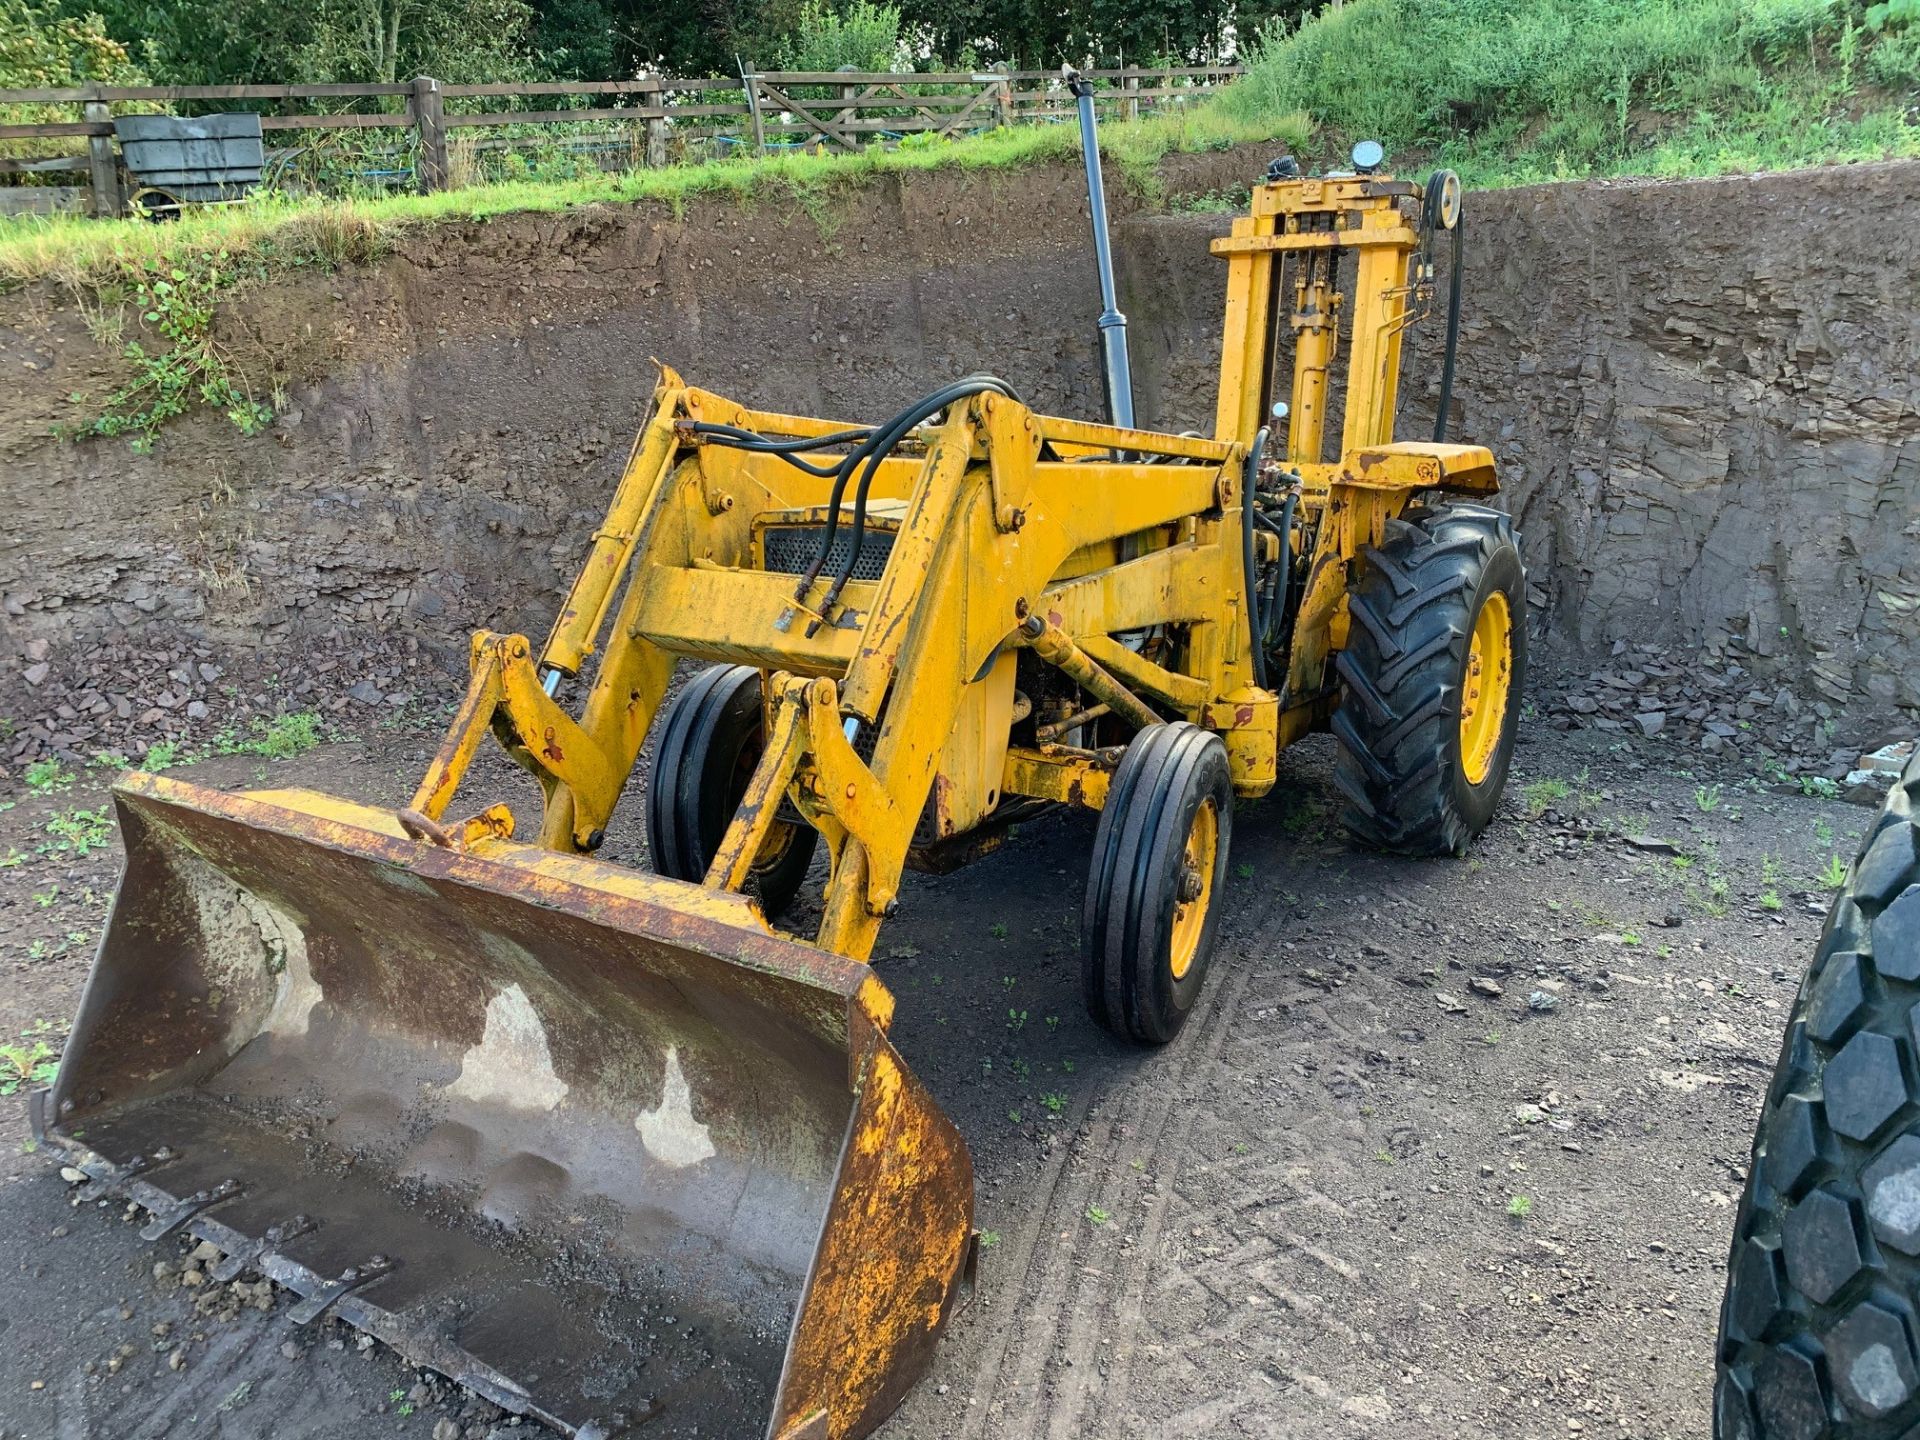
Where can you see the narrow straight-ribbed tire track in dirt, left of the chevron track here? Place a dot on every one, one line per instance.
(1067, 1303)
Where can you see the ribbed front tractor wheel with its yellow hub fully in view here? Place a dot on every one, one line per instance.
(1159, 871)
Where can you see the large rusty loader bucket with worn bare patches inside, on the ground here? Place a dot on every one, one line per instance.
(594, 1143)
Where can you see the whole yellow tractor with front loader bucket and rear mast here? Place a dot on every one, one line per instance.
(617, 1151)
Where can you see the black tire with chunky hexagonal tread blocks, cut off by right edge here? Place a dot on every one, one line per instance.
(1823, 1284)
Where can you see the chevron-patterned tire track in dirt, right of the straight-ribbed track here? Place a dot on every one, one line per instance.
(1234, 1314)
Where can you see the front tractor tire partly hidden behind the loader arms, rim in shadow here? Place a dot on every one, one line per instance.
(711, 742)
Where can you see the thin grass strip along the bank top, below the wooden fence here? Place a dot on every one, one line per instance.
(283, 233)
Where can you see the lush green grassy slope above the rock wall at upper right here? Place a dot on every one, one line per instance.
(1524, 91)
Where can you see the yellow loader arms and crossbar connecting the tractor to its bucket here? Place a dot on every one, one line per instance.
(1005, 516)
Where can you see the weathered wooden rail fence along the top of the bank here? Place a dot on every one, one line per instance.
(652, 120)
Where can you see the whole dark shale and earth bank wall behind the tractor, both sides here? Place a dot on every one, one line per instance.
(1702, 395)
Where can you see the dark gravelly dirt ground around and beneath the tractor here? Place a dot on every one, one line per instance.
(1449, 1147)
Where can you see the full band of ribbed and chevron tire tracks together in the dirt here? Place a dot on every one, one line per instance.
(1141, 1308)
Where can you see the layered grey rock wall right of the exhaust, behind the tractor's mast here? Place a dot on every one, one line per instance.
(1706, 402)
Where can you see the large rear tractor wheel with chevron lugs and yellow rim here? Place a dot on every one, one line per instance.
(1431, 681)
